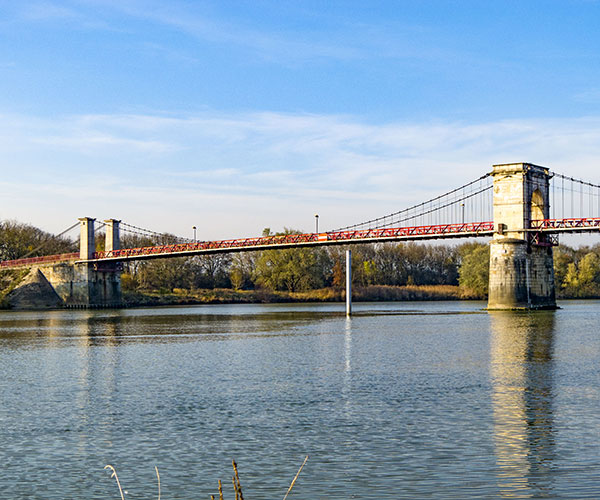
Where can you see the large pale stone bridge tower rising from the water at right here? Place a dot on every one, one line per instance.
(521, 272)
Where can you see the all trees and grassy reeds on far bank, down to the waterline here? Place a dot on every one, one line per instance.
(382, 271)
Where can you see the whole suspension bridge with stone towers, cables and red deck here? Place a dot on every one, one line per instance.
(522, 207)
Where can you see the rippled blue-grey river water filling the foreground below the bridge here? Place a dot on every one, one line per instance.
(405, 400)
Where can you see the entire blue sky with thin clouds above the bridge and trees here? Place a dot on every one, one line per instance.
(238, 115)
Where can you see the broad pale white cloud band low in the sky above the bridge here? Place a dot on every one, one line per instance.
(233, 174)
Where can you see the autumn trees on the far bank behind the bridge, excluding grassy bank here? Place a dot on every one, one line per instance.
(577, 271)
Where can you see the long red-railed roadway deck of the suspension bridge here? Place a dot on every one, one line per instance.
(440, 231)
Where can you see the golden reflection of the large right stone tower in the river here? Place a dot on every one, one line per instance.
(522, 395)
